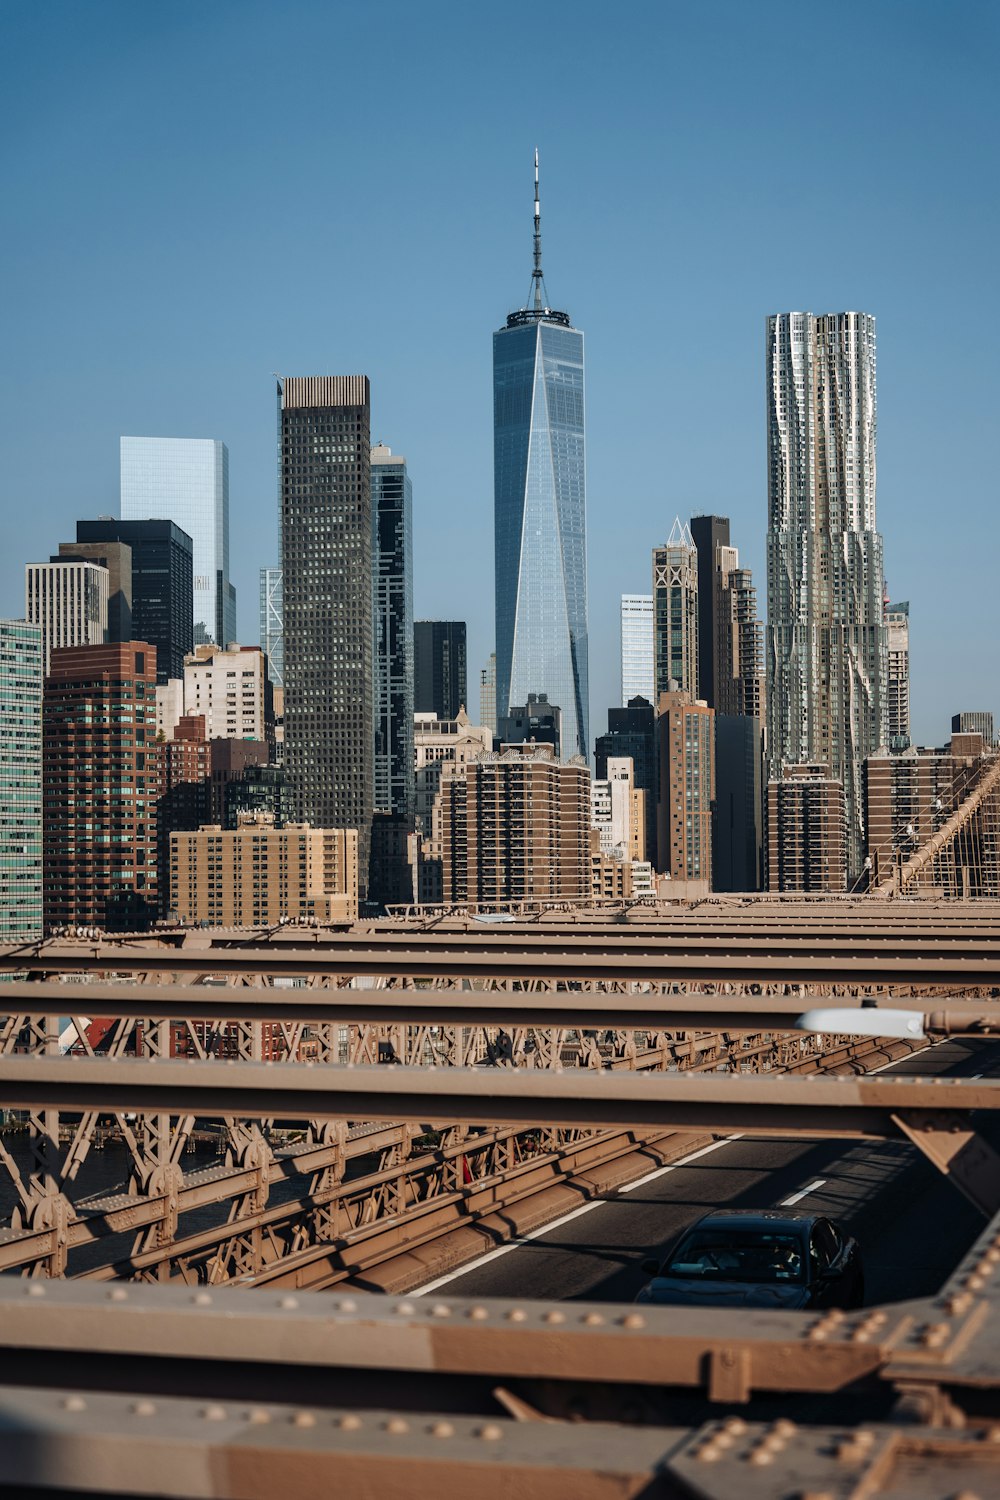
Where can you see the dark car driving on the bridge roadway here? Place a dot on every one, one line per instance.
(771, 1259)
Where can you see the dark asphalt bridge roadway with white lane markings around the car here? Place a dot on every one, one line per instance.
(911, 1222)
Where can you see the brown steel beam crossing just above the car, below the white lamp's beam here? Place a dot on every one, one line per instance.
(810, 1106)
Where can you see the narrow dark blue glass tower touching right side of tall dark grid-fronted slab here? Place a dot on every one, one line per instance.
(394, 584)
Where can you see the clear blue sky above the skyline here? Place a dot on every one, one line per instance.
(200, 193)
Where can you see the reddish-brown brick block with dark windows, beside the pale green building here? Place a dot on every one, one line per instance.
(103, 779)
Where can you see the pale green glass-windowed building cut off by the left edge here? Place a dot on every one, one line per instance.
(22, 670)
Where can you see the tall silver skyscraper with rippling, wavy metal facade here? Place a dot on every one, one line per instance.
(827, 635)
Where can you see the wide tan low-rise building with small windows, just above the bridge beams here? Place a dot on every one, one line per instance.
(259, 875)
